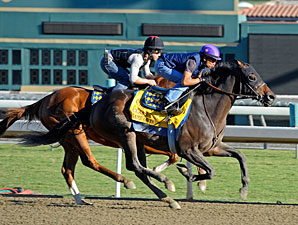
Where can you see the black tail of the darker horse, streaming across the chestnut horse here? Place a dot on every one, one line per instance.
(59, 130)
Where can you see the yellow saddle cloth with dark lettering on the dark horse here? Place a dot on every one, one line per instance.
(142, 114)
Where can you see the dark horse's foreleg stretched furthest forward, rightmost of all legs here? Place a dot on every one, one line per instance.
(225, 150)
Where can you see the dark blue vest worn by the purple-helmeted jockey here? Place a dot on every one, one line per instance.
(178, 61)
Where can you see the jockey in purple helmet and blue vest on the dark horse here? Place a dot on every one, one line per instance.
(185, 69)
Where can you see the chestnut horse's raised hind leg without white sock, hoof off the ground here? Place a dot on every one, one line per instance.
(89, 160)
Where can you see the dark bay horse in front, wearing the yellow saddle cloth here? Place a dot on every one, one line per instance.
(201, 134)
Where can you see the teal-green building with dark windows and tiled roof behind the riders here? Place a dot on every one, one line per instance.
(45, 45)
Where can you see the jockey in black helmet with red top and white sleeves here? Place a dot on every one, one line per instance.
(116, 62)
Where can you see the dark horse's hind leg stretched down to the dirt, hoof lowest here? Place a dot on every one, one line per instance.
(132, 156)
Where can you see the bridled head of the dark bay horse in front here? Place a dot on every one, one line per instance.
(254, 85)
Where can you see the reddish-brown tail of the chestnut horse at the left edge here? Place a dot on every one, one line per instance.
(10, 116)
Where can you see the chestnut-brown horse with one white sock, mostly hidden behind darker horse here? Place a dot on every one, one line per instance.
(61, 104)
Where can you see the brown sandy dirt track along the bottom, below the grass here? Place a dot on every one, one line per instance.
(28, 210)
